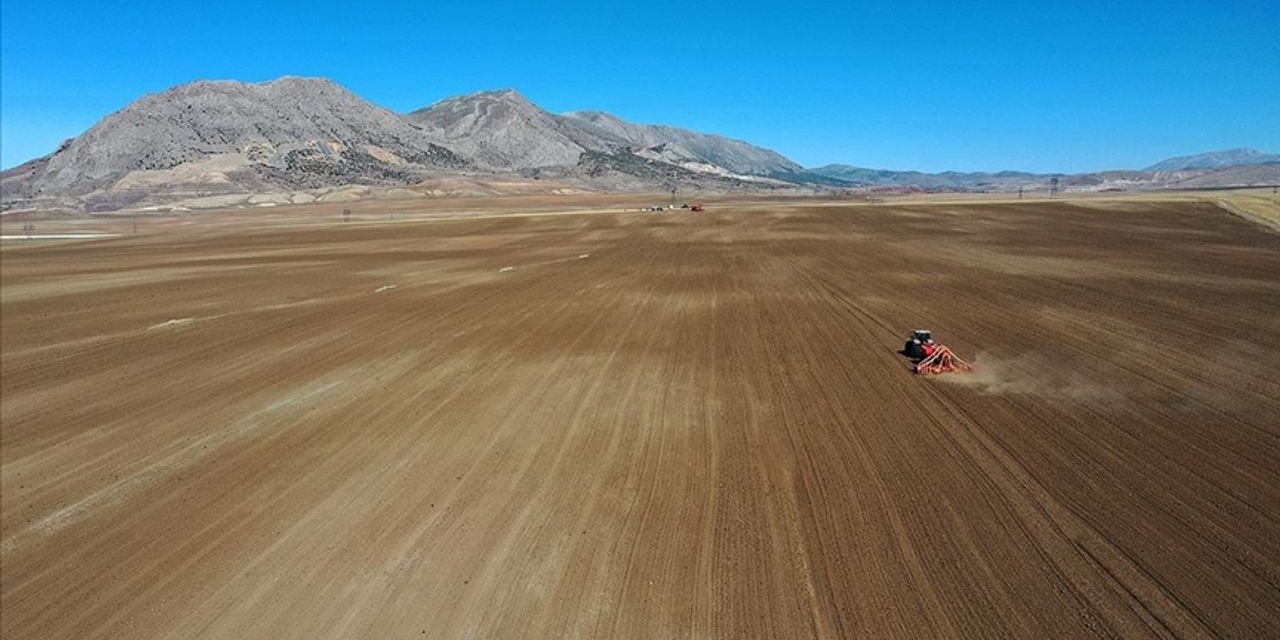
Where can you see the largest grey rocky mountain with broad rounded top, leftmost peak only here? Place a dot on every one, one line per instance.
(216, 138)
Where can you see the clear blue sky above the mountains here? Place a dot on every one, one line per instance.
(930, 85)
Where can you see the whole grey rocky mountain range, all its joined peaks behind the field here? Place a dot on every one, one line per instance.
(295, 140)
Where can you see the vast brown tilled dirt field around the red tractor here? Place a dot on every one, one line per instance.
(642, 426)
